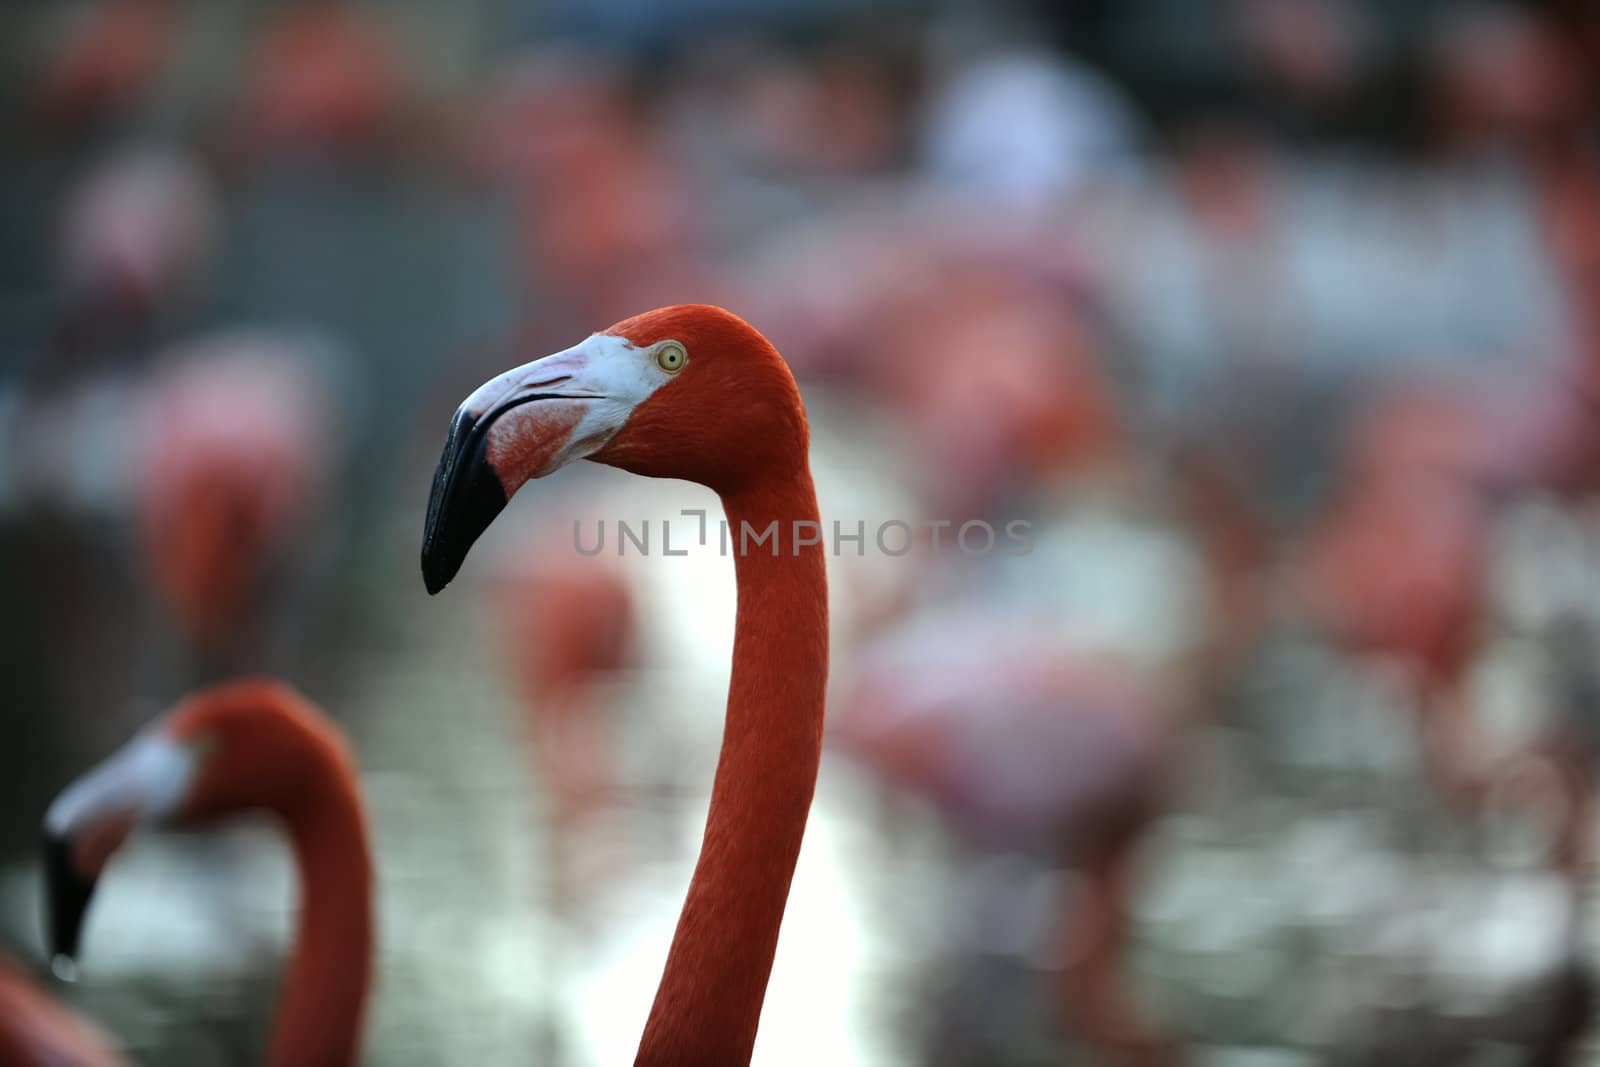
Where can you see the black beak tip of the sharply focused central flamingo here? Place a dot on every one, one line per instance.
(465, 500)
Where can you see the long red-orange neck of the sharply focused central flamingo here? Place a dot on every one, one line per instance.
(711, 993)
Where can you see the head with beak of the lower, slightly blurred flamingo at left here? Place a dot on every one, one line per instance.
(234, 748)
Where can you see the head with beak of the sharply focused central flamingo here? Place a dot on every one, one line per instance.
(681, 393)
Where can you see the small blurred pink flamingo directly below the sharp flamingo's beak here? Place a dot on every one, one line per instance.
(567, 625)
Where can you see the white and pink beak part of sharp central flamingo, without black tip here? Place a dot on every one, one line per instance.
(585, 396)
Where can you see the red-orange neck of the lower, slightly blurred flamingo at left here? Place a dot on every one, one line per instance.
(324, 996)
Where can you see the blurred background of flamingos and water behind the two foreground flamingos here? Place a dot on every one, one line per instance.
(1278, 322)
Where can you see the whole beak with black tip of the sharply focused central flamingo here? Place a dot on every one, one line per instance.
(524, 425)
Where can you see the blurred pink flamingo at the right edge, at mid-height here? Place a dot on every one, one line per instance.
(1398, 567)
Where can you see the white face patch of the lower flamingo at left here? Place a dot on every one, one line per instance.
(146, 778)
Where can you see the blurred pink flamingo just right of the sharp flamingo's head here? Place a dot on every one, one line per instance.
(977, 342)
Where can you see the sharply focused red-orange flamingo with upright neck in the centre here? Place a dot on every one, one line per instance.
(687, 393)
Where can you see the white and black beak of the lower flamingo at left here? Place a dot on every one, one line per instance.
(92, 818)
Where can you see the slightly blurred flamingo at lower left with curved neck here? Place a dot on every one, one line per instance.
(246, 746)
